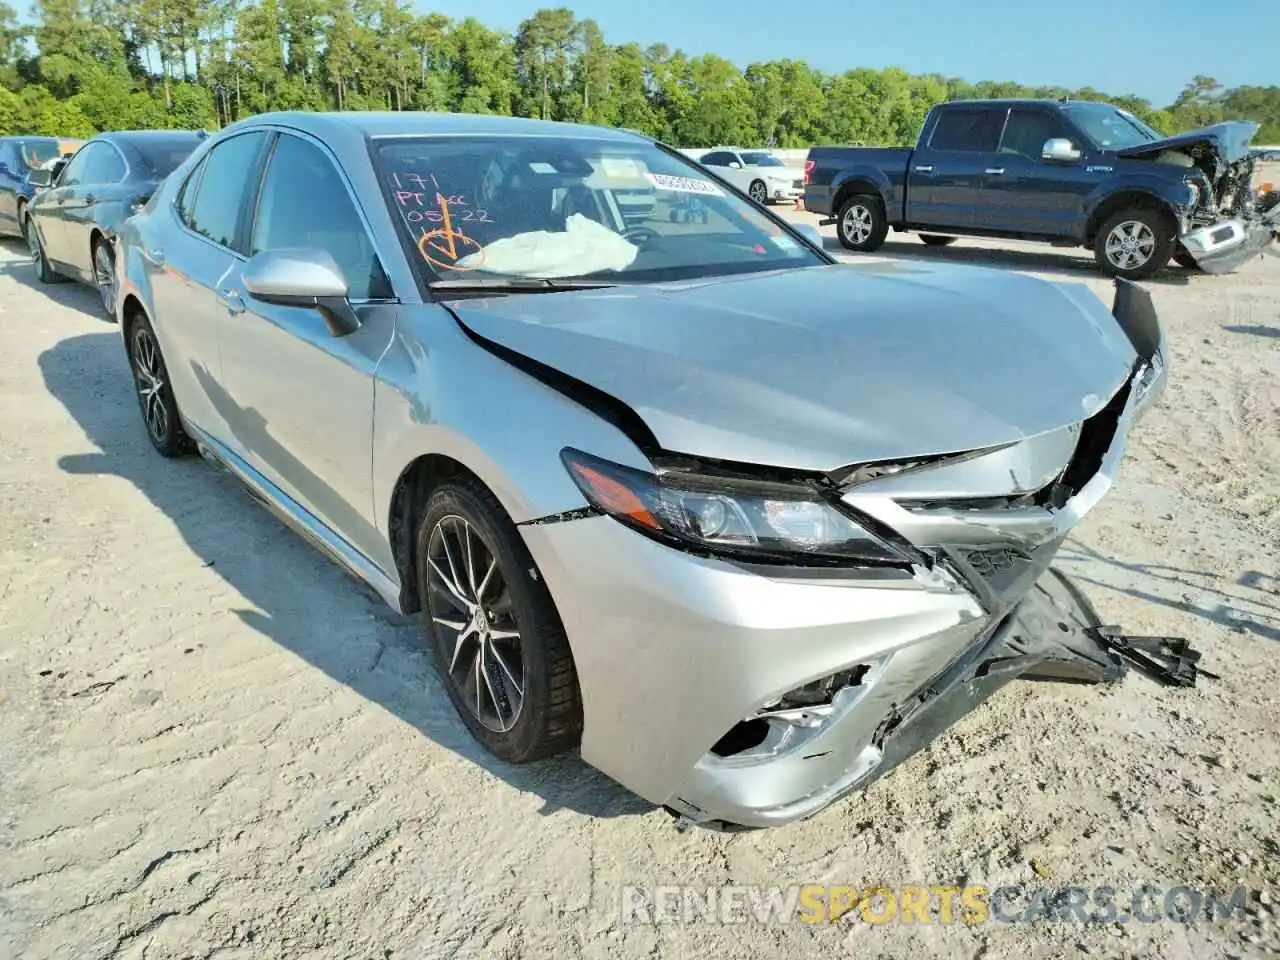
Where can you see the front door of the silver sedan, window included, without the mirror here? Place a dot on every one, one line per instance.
(303, 397)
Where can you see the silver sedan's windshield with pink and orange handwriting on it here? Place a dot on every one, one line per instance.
(556, 208)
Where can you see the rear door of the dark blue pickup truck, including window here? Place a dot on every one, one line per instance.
(948, 173)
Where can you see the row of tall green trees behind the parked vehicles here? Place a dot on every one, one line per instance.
(89, 66)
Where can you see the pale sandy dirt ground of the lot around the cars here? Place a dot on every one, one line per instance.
(214, 744)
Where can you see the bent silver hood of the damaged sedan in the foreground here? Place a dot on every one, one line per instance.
(820, 368)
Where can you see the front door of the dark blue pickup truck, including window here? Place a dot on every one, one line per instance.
(1032, 195)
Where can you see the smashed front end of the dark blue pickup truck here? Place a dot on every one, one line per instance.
(1226, 221)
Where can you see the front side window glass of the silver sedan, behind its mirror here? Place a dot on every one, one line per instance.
(289, 216)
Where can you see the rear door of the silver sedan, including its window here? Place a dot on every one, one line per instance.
(189, 257)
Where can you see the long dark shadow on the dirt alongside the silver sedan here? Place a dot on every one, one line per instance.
(280, 578)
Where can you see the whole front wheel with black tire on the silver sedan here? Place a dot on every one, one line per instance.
(550, 716)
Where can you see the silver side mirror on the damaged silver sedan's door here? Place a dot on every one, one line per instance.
(303, 278)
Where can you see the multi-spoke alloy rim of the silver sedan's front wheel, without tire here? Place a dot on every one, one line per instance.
(474, 623)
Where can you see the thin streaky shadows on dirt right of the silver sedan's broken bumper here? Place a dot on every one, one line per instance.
(1227, 609)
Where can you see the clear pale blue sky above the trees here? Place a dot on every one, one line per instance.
(1150, 48)
